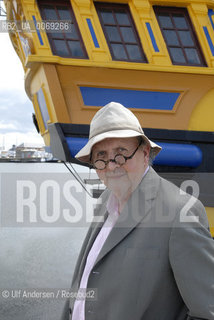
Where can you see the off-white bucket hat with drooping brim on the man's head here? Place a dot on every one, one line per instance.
(113, 121)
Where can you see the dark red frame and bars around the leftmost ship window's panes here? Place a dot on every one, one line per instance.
(66, 4)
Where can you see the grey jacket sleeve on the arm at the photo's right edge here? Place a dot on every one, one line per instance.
(191, 254)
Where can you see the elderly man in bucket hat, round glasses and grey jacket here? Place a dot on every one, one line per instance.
(152, 258)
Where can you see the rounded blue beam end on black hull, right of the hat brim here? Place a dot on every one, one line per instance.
(181, 155)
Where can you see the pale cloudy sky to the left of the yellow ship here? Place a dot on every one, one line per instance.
(16, 109)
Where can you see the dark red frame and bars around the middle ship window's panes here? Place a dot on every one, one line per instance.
(113, 6)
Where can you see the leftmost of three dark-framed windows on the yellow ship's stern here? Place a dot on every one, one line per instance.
(69, 43)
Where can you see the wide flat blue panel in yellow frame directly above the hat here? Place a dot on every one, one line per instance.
(130, 98)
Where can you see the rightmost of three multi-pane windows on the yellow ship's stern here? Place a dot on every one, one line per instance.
(181, 41)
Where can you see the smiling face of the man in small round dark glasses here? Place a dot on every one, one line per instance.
(125, 178)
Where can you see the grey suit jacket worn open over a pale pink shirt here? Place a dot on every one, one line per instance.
(153, 265)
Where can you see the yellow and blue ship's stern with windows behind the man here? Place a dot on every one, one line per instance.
(155, 57)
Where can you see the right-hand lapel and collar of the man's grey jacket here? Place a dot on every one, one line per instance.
(137, 208)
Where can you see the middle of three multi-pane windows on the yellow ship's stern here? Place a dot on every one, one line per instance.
(122, 38)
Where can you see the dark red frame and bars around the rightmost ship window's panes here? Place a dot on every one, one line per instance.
(181, 10)
